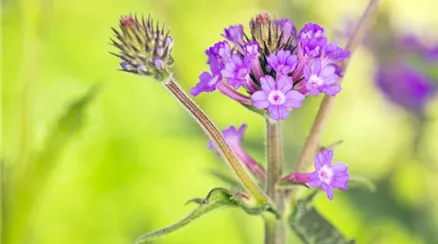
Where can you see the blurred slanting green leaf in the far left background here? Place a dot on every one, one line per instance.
(26, 183)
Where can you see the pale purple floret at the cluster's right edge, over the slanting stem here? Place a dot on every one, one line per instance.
(321, 78)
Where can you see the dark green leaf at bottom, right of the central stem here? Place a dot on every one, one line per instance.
(311, 227)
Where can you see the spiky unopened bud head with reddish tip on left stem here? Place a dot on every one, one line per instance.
(145, 48)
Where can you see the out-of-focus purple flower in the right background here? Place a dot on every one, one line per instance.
(404, 66)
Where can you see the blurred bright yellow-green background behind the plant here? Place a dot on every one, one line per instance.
(124, 163)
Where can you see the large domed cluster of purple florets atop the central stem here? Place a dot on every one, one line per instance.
(276, 65)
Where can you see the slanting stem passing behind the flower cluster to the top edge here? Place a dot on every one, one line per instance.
(325, 108)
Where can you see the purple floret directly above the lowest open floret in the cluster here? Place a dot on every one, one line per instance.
(283, 62)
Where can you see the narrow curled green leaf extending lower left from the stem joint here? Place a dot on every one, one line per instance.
(216, 198)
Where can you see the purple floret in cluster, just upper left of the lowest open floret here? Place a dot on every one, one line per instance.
(236, 71)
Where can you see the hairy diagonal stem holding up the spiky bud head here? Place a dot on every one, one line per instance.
(215, 135)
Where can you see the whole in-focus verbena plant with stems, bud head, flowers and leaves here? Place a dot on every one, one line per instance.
(270, 70)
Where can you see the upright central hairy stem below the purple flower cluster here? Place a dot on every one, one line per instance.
(274, 228)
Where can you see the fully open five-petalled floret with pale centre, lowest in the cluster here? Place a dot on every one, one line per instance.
(277, 96)
